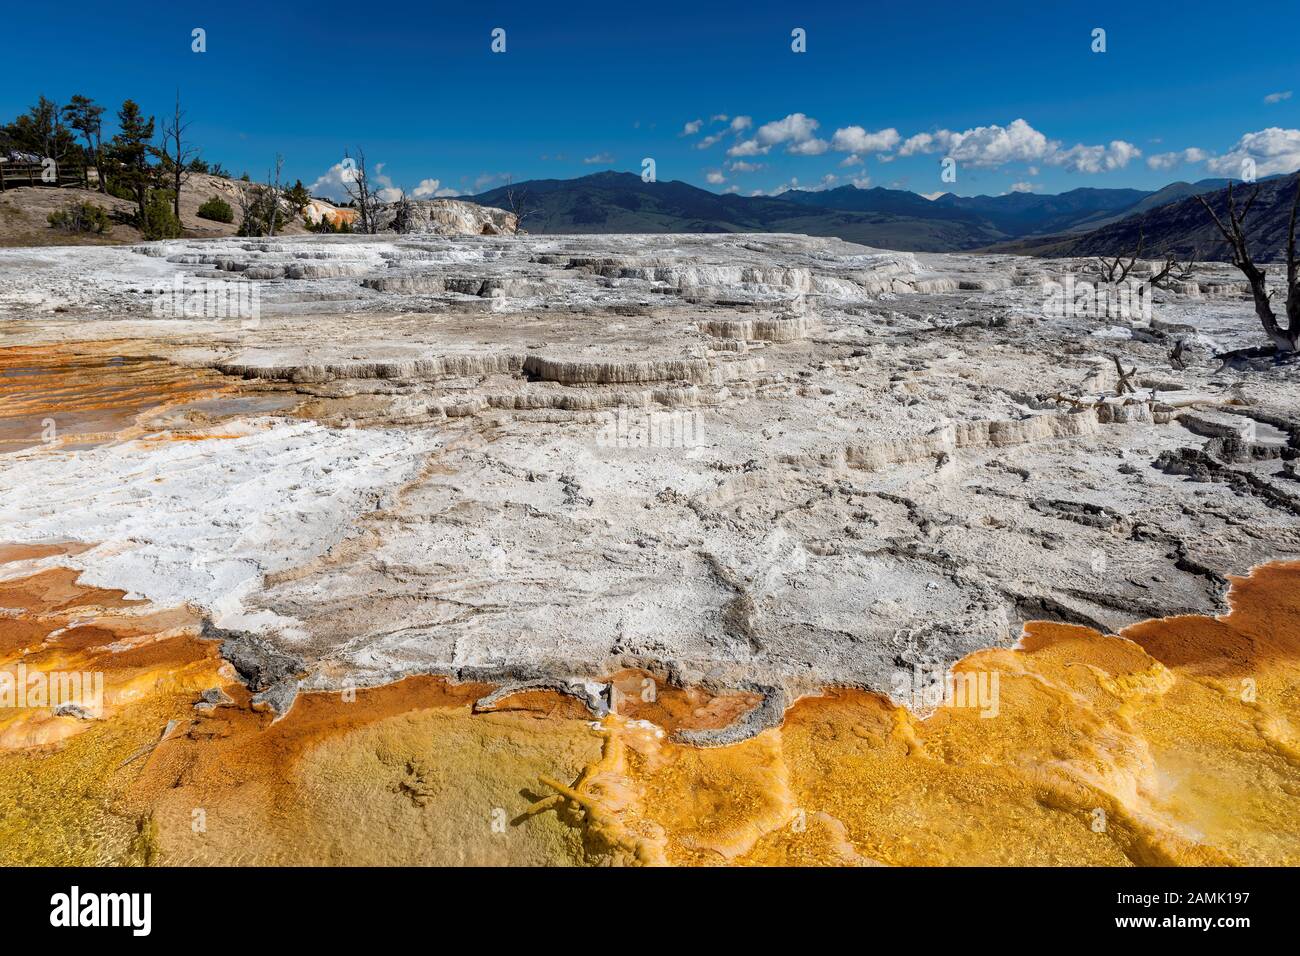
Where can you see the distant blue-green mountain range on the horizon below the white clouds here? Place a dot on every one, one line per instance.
(614, 202)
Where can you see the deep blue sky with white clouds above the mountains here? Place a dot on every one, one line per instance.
(586, 86)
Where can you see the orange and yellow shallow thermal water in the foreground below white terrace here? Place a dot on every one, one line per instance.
(1173, 743)
